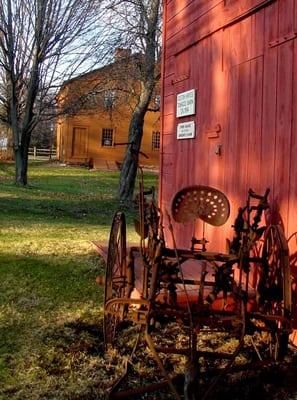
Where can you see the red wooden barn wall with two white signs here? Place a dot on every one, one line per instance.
(229, 116)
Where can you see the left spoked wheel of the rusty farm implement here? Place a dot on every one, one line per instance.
(115, 276)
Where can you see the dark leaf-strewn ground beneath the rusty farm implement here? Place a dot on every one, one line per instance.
(248, 379)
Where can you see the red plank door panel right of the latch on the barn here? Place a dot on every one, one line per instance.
(243, 145)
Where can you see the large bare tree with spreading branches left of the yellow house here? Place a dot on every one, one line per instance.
(42, 43)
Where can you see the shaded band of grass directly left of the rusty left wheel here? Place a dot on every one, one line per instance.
(56, 279)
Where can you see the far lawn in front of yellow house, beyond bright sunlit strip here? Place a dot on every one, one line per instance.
(67, 195)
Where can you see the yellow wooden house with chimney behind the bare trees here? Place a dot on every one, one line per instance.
(95, 112)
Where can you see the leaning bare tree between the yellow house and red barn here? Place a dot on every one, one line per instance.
(139, 27)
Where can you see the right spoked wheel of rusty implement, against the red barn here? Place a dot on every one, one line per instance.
(274, 290)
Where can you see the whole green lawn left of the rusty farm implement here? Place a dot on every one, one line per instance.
(51, 344)
